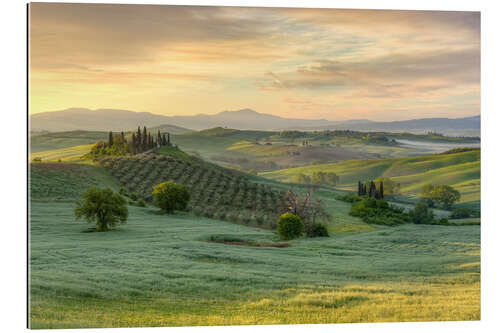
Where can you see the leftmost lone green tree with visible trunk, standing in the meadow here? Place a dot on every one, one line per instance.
(102, 207)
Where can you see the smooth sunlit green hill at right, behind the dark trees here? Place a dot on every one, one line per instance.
(461, 170)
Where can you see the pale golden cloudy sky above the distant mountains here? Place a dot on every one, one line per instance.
(290, 62)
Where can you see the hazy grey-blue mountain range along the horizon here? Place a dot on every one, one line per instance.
(122, 120)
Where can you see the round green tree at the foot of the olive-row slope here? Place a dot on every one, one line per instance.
(170, 196)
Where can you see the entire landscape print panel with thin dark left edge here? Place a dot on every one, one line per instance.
(203, 165)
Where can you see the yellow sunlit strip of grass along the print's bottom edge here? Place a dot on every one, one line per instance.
(400, 302)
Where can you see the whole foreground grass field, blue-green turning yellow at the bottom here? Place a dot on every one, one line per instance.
(160, 271)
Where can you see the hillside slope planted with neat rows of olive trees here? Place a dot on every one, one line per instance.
(215, 192)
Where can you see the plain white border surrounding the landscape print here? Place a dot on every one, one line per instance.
(13, 167)
